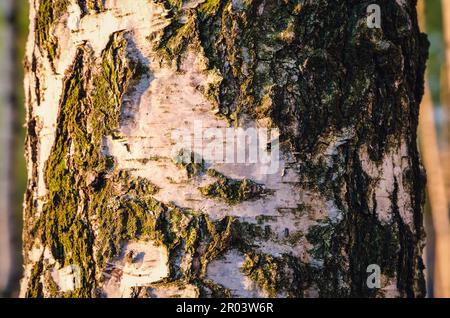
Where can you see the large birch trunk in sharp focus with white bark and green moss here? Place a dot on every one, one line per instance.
(109, 81)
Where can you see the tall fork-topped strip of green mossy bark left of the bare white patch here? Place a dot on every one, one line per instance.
(76, 169)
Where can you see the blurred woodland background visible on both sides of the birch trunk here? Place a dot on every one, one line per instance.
(434, 142)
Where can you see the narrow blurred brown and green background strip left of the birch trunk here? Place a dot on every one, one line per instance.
(13, 171)
